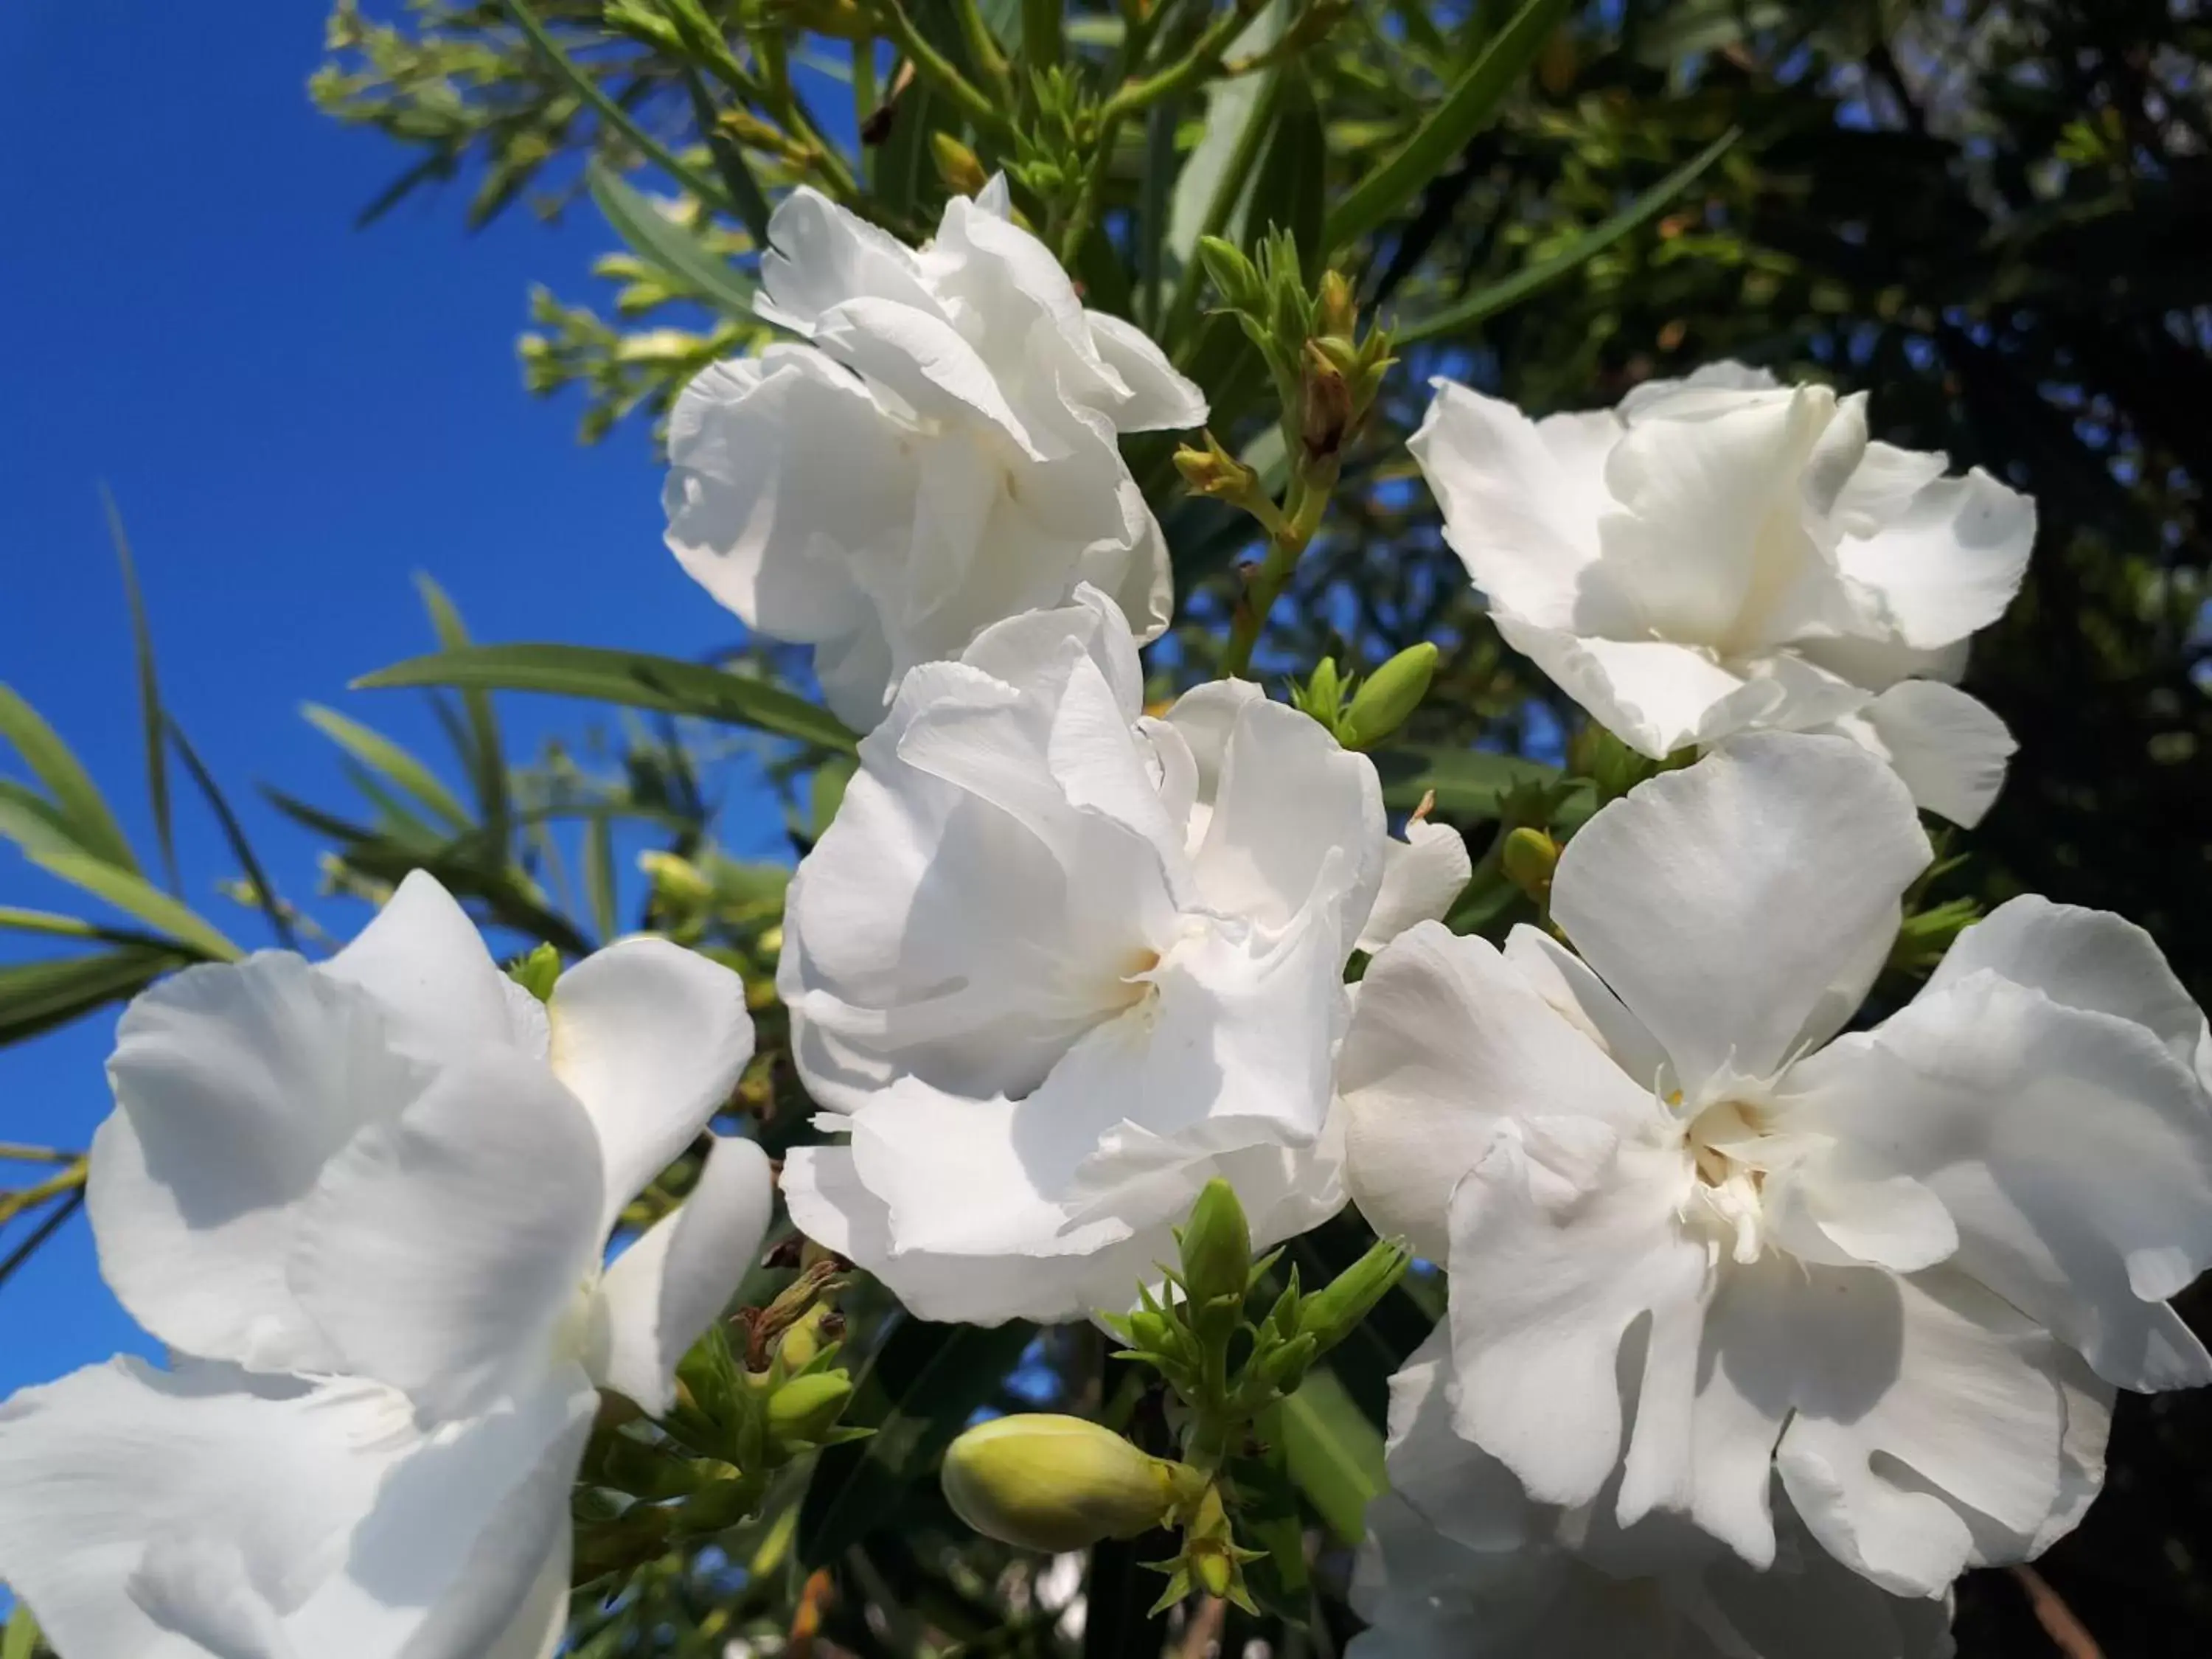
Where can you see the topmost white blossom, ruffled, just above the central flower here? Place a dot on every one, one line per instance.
(937, 459)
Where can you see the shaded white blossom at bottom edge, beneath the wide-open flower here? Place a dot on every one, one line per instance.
(1461, 1565)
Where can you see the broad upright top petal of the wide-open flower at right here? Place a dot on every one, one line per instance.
(1676, 890)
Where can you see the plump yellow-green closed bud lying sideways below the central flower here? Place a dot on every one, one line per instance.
(1052, 1483)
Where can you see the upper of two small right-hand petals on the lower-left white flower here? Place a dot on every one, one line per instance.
(651, 1039)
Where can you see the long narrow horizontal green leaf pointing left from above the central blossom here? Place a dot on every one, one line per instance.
(627, 678)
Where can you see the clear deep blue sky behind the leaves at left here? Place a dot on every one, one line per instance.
(295, 417)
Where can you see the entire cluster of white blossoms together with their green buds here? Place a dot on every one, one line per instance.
(1766, 1322)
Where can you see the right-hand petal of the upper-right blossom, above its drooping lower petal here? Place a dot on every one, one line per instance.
(1950, 561)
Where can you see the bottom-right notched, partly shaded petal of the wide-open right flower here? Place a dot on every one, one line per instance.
(1928, 1430)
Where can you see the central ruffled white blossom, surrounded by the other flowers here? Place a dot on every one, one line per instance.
(1058, 963)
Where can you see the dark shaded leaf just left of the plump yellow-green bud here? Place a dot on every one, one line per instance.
(930, 1381)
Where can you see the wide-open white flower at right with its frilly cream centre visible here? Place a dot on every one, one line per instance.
(1872, 1269)
